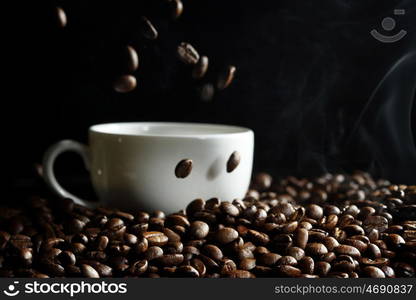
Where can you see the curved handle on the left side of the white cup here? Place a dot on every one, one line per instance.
(48, 167)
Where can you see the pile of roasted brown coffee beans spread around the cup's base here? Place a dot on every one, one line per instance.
(343, 226)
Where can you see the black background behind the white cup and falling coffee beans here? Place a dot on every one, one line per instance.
(305, 72)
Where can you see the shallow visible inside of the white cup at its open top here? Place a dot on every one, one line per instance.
(167, 129)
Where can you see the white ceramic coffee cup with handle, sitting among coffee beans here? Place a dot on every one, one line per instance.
(132, 165)
